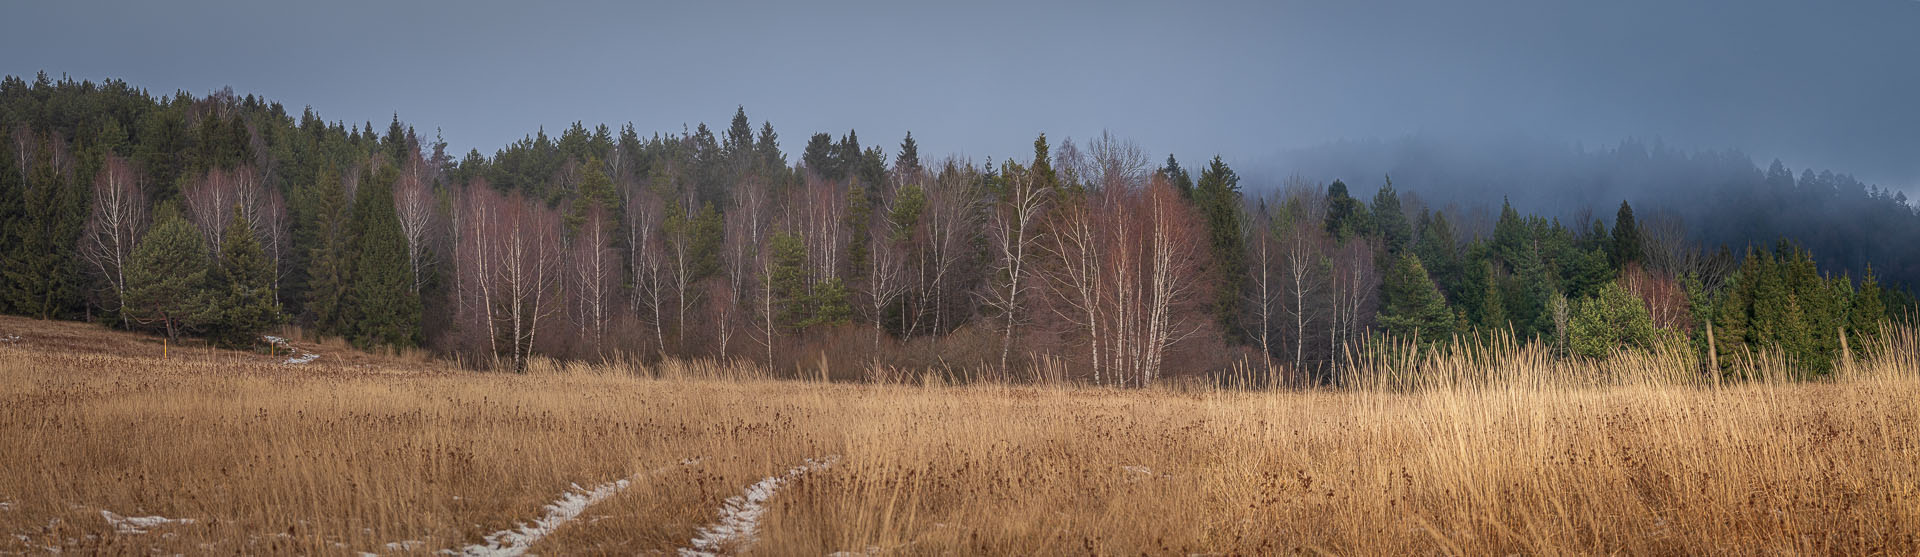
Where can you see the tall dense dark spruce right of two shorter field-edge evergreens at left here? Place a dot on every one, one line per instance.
(383, 308)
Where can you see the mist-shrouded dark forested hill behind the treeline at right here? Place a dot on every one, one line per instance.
(1719, 197)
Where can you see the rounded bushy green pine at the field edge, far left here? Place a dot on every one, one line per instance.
(166, 279)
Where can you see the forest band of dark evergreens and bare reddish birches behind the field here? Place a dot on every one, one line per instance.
(228, 216)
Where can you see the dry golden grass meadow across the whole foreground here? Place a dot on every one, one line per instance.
(352, 454)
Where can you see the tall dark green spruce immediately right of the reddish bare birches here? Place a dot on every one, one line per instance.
(1218, 199)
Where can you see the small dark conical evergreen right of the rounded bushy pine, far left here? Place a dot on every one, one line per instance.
(243, 289)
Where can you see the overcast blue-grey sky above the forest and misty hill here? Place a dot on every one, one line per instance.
(1823, 84)
